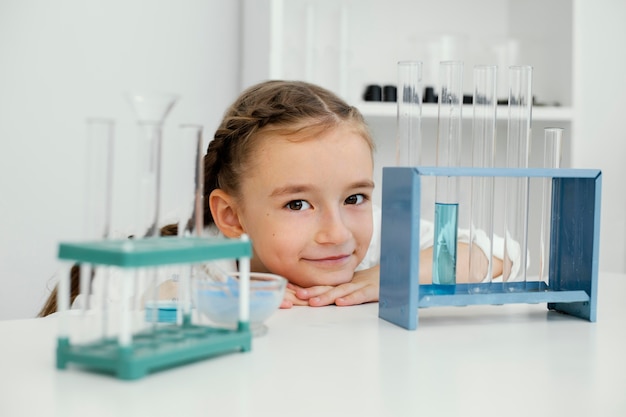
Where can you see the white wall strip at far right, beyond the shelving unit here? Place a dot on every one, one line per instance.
(599, 128)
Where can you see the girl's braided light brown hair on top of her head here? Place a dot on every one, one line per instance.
(286, 108)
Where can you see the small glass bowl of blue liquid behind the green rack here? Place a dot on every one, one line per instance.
(218, 300)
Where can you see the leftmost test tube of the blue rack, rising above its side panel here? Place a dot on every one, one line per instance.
(409, 116)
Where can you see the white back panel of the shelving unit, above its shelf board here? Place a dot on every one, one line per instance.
(345, 45)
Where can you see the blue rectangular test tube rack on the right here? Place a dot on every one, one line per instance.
(574, 245)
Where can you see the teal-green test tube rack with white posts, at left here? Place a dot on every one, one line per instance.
(132, 356)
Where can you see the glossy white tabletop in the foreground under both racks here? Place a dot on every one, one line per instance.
(514, 360)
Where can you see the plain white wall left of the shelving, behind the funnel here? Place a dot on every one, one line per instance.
(63, 61)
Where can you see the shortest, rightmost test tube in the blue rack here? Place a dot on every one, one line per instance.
(553, 139)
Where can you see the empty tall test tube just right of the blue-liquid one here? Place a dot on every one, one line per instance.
(485, 103)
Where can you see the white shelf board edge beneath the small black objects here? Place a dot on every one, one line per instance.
(429, 111)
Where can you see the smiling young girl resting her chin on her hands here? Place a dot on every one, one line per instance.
(291, 165)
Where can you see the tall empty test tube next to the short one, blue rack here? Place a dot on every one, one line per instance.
(516, 195)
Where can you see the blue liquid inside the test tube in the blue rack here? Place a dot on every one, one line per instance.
(444, 255)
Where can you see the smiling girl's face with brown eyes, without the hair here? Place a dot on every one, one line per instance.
(307, 206)
